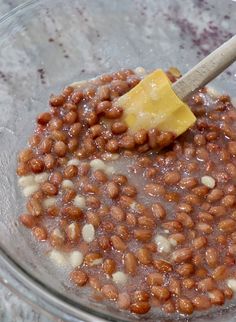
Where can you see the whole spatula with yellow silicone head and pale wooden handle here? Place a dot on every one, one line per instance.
(157, 103)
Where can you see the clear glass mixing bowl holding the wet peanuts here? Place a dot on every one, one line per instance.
(48, 44)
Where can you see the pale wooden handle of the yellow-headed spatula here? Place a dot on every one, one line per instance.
(207, 69)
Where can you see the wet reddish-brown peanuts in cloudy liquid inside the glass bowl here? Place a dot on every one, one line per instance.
(141, 227)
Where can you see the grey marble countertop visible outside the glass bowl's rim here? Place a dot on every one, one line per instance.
(12, 308)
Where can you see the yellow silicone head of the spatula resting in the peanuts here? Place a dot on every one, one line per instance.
(154, 104)
